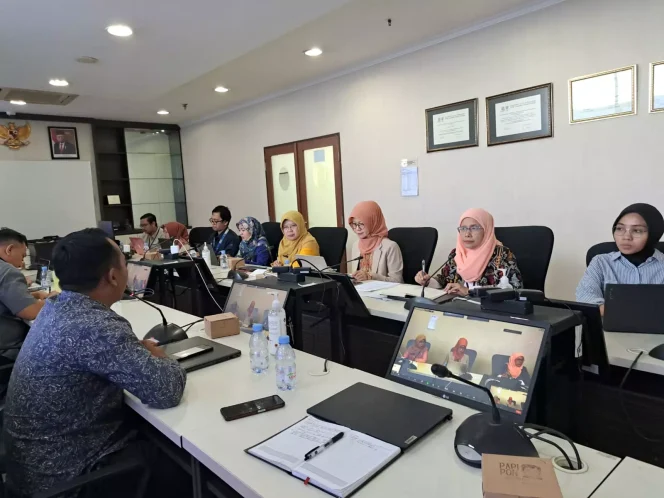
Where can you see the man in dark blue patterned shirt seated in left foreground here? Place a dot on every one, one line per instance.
(64, 413)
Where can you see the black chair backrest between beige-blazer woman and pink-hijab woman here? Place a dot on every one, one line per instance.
(416, 244)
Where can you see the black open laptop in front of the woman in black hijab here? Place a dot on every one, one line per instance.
(634, 308)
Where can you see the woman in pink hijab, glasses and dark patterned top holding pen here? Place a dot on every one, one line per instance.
(478, 260)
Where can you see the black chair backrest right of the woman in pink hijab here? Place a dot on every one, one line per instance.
(532, 246)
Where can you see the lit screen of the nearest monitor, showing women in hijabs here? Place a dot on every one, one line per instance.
(501, 356)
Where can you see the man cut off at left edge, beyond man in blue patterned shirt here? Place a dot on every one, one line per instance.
(16, 302)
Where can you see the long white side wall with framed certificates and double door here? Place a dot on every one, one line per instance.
(575, 182)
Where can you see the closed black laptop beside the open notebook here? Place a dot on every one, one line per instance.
(391, 417)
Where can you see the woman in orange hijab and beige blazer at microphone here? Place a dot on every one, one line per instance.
(381, 257)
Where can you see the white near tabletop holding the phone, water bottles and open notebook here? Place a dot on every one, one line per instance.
(197, 426)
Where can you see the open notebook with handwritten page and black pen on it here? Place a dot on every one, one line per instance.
(341, 469)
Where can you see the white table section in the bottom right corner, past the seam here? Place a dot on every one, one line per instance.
(632, 479)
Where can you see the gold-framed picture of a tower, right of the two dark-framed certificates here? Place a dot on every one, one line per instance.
(609, 94)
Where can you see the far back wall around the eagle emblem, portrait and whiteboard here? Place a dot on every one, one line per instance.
(40, 150)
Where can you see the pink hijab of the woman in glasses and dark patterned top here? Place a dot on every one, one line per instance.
(471, 263)
